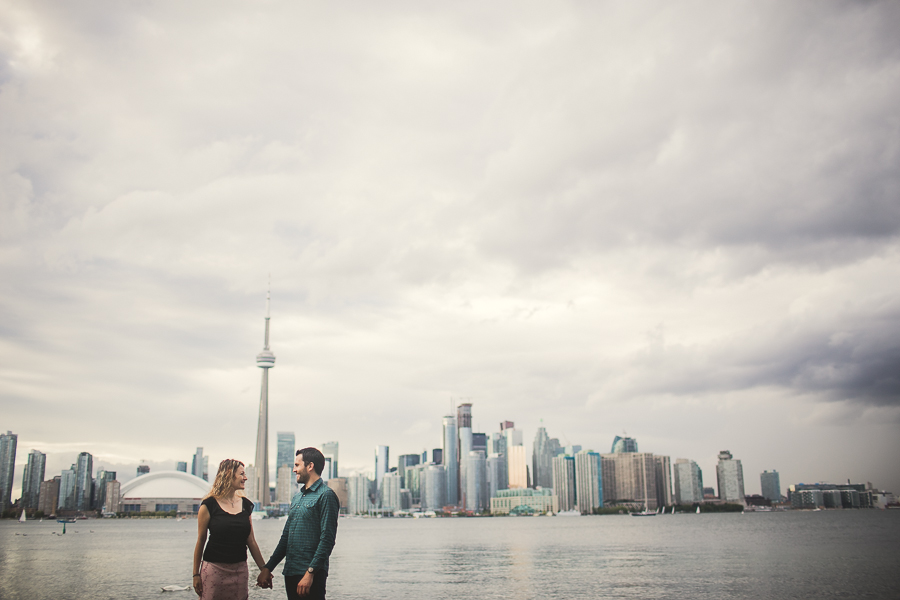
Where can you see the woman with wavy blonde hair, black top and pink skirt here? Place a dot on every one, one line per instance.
(225, 514)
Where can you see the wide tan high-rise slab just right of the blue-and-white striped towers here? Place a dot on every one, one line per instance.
(629, 478)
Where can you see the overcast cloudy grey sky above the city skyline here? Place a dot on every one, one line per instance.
(681, 221)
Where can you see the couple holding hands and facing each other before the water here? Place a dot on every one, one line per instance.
(220, 569)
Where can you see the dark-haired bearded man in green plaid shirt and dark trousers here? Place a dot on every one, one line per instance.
(308, 536)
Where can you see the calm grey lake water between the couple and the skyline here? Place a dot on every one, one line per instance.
(828, 554)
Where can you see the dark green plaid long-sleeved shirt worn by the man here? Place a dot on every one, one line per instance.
(309, 533)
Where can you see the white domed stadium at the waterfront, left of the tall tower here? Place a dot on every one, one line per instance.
(161, 491)
